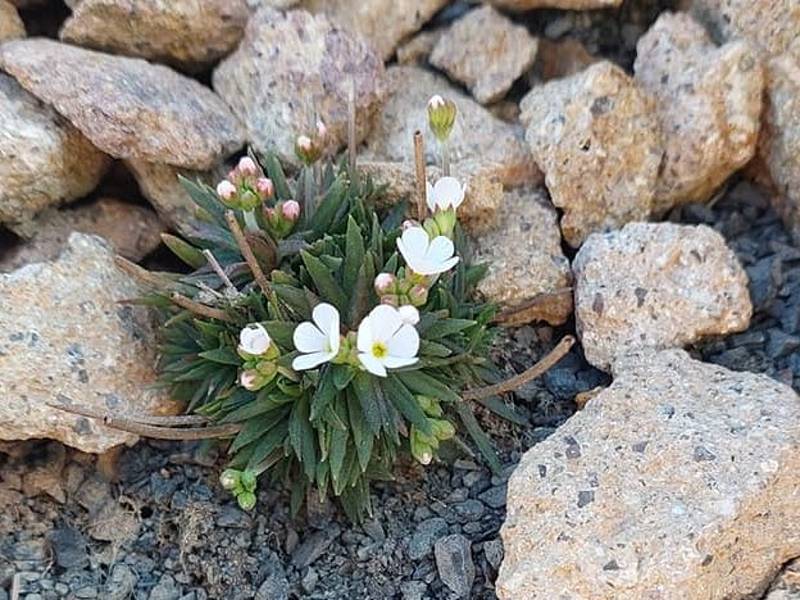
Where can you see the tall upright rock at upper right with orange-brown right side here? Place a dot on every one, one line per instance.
(709, 106)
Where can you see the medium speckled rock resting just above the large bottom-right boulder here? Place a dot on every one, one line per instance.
(656, 285)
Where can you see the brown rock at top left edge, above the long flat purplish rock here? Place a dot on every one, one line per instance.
(186, 34)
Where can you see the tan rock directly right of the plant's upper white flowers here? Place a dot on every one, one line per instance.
(527, 270)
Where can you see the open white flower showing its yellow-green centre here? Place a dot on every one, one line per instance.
(385, 341)
